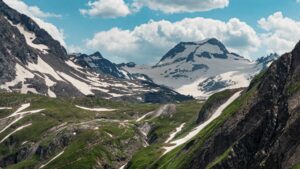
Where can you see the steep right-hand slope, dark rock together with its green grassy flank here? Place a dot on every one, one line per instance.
(259, 129)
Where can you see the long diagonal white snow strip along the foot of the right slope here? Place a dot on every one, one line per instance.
(194, 132)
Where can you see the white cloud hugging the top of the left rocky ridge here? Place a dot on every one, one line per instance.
(38, 16)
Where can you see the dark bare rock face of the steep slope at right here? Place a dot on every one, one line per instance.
(265, 131)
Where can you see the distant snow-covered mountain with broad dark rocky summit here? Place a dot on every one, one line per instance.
(202, 68)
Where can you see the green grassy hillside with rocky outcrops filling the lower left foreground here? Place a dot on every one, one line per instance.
(82, 138)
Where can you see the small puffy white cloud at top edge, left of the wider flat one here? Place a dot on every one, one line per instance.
(106, 9)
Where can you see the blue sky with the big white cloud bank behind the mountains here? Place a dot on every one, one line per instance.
(79, 29)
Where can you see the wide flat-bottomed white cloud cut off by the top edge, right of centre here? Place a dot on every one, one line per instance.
(180, 6)
